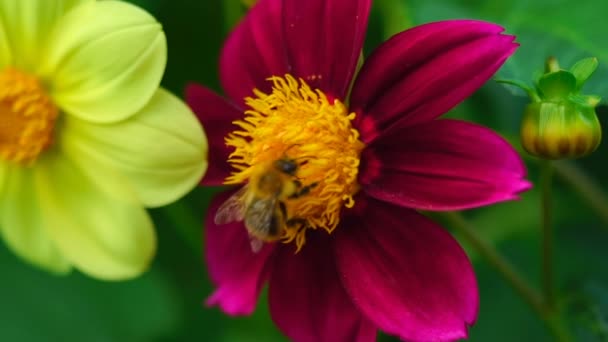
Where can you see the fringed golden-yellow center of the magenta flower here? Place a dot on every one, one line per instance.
(298, 124)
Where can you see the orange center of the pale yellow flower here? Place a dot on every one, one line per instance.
(27, 117)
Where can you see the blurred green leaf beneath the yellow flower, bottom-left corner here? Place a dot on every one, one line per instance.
(37, 306)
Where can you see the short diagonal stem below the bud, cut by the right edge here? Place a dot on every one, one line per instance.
(588, 189)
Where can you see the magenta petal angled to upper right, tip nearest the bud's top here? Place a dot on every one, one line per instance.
(421, 73)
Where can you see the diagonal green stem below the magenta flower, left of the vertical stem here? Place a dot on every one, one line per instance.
(552, 320)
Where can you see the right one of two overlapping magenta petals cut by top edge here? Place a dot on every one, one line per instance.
(324, 41)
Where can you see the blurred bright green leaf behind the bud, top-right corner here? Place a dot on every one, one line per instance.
(568, 30)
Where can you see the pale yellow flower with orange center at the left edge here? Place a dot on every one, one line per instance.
(87, 137)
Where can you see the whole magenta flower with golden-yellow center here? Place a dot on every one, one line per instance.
(355, 256)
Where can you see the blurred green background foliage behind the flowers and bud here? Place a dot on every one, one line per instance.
(166, 304)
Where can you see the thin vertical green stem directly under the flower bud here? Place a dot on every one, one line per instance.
(546, 175)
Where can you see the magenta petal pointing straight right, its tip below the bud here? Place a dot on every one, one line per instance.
(442, 165)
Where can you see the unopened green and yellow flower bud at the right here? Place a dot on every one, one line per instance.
(560, 122)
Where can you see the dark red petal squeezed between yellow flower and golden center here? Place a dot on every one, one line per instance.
(217, 114)
